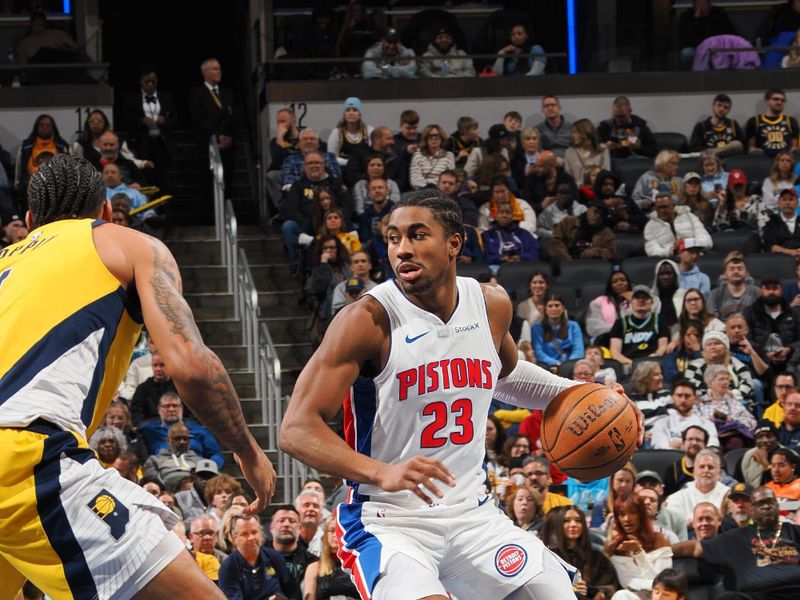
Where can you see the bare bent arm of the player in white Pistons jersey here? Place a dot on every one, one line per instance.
(356, 337)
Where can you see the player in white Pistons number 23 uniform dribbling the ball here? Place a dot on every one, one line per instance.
(417, 362)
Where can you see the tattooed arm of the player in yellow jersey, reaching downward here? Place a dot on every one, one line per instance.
(199, 375)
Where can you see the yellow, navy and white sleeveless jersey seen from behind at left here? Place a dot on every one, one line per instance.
(67, 329)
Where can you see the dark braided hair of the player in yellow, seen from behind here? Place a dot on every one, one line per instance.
(66, 187)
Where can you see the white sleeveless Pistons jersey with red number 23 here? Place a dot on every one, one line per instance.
(432, 397)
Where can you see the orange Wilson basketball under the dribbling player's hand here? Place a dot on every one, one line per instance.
(589, 431)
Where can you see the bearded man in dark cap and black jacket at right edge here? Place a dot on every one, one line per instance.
(774, 326)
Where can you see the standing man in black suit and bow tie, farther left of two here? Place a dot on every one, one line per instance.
(149, 115)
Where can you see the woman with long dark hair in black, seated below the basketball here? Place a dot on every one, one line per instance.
(565, 532)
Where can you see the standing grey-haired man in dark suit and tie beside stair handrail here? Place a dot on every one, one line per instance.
(211, 107)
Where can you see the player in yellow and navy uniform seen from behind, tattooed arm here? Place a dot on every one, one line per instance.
(73, 297)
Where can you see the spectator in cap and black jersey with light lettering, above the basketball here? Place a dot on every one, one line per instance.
(639, 334)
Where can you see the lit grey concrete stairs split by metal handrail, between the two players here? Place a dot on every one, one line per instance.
(205, 289)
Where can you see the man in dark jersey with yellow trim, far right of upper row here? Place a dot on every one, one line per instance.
(773, 131)
